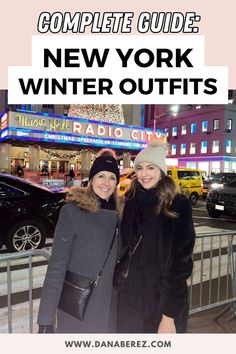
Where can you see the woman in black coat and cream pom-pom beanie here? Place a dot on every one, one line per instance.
(155, 297)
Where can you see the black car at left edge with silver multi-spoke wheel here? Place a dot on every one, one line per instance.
(28, 213)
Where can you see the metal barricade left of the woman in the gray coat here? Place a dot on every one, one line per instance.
(13, 257)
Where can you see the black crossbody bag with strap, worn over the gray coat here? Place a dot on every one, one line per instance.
(77, 290)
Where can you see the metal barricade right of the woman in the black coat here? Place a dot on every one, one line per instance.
(213, 282)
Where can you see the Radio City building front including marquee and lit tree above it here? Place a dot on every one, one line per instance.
(47, 137)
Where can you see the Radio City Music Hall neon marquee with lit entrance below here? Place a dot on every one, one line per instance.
(46, 142)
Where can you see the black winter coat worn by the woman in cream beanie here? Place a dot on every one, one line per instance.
(161, 264)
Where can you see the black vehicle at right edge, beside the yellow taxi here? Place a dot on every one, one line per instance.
(222, 200)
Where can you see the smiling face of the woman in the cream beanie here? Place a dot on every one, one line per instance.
(148, 175)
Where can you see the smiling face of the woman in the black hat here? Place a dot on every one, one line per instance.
(104, 184)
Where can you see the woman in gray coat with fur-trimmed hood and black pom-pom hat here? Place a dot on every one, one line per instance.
(83, 235)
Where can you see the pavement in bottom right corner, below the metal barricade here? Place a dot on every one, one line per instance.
(205, 322)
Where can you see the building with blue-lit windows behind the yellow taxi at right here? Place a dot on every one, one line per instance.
(201, 137)
